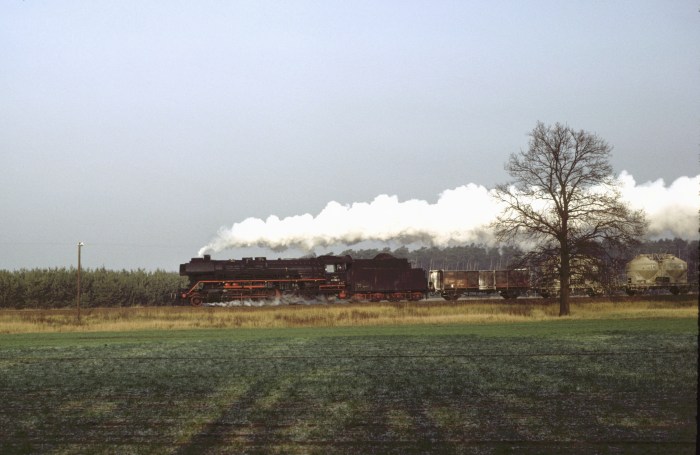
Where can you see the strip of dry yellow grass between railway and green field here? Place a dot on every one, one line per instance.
(334, 315)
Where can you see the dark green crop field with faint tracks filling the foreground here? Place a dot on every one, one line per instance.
(563, 386)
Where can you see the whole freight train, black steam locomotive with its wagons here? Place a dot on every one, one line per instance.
(389, 278)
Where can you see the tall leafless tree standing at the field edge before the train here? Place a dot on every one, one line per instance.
(564, 201)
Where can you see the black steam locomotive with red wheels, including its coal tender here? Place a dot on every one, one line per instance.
(382, 278)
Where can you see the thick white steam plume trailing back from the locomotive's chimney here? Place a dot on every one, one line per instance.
(460, 216)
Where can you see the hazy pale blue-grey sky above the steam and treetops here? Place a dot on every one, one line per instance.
(148, 130)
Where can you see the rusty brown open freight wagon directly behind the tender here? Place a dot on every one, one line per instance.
(451, 284)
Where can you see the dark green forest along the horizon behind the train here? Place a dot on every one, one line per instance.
(56, 287)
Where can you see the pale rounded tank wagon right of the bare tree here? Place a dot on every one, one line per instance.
(651, 272)
